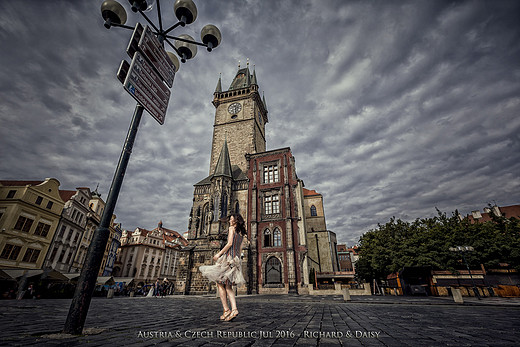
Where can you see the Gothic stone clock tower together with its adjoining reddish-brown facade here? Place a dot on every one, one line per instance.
(261, 185)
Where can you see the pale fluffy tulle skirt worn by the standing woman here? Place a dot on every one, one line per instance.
(225, 270)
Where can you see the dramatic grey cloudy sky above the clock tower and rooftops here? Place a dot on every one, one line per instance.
(391, 108)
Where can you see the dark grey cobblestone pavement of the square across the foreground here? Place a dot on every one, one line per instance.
(267, 321)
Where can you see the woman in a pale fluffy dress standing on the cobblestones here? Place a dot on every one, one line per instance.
(227, 270)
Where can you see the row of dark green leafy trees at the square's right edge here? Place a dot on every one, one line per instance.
(426, 242)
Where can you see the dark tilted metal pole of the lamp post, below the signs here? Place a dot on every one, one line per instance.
(87, 280)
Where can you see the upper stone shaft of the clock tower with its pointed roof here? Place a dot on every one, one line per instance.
(240, 118)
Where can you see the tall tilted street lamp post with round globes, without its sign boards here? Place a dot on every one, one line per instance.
(114, 15)
